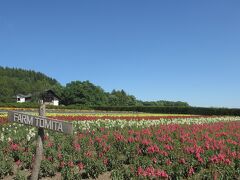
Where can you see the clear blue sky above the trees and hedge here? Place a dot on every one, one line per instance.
(170, 50)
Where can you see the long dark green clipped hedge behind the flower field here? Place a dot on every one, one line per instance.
(176, 110)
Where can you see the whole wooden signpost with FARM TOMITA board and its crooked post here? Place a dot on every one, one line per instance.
(41, 122)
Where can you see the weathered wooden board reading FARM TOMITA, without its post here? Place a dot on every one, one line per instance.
(40, 122)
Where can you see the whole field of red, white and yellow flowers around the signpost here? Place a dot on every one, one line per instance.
(127, 146)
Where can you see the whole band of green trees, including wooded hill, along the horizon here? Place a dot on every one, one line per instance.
(15, 81)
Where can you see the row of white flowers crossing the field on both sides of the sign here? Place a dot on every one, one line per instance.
(19, 131)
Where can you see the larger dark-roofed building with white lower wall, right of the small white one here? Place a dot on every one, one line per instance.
(50, 98)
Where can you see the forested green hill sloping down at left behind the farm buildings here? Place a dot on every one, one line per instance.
(15, 81)
